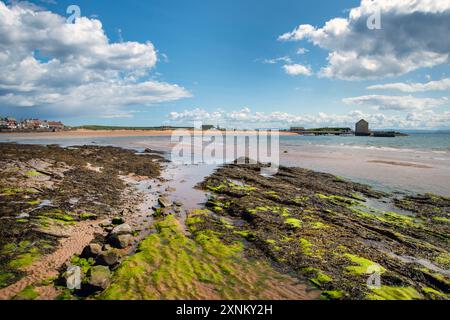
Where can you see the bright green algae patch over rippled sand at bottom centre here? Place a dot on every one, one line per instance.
(208, 265)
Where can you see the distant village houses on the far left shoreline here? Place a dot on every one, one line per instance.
(10, 124)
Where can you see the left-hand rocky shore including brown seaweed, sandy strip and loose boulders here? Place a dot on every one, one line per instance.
(55, 201)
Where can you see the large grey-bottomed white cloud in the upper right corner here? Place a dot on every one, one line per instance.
(413, 35)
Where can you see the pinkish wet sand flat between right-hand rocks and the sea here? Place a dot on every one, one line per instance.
(418, 172)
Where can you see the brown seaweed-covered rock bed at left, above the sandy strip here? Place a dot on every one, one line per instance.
(45, 190)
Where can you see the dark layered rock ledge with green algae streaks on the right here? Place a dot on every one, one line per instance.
(327, 232)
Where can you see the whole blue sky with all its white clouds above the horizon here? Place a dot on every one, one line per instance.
(252, 63)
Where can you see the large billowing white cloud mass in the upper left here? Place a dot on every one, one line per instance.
(73, 68)
